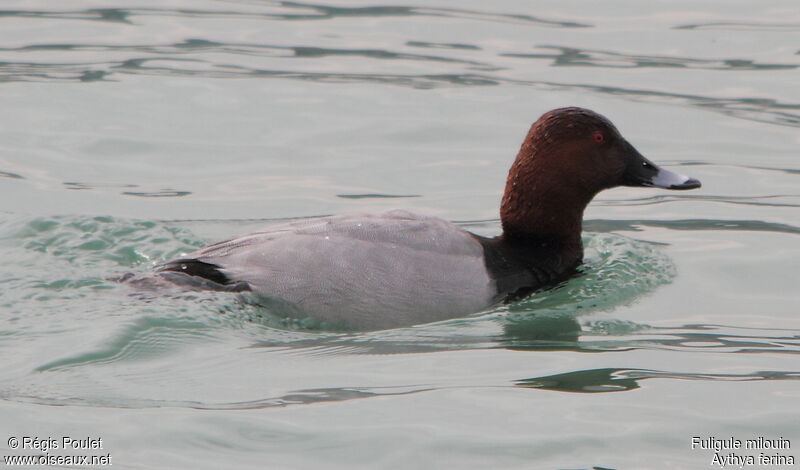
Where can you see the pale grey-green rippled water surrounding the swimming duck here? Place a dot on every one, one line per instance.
(134, 132)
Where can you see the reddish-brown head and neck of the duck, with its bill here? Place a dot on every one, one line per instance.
(568, 156)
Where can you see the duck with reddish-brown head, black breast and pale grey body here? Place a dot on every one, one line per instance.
(398, 269)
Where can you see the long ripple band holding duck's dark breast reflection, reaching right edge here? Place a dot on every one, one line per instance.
(544, 332)
